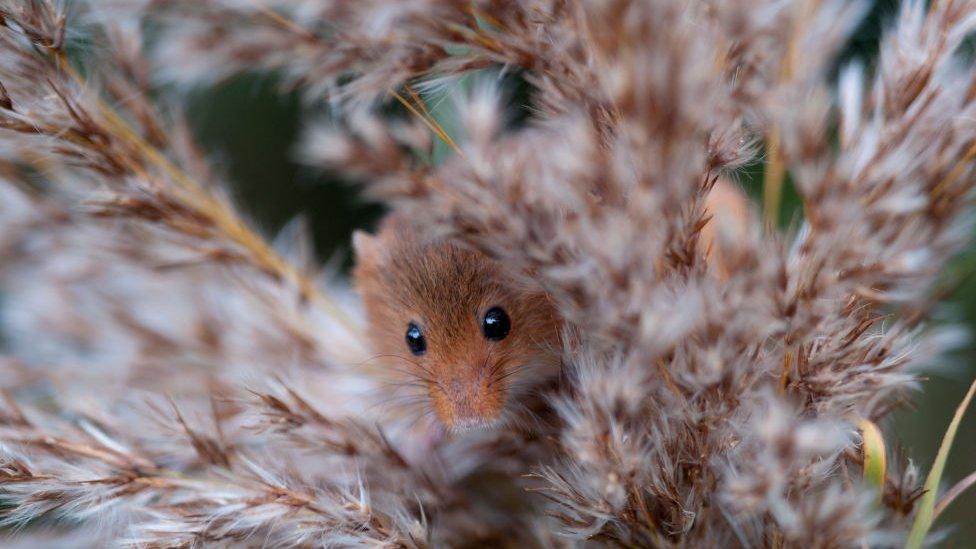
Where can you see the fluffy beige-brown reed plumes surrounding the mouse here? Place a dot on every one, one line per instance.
(172, 378)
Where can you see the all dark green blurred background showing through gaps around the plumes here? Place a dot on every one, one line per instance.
(251, 129)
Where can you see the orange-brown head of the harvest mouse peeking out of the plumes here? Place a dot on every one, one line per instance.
(452, 327)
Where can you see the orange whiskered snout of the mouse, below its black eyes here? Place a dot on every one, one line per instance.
(464, 402)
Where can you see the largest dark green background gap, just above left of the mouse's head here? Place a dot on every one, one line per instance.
(250, 129)
